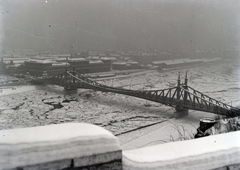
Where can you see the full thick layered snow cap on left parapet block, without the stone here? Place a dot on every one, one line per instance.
(50, 143)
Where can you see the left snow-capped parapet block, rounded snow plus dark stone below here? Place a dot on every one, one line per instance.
(60, 146)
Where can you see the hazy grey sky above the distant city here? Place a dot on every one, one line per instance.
(174, 25)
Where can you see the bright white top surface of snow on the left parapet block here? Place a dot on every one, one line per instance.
(53, 133)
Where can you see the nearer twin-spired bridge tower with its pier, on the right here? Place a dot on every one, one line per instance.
(180, 111)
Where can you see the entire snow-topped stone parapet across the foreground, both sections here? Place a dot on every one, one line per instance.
(80, 146)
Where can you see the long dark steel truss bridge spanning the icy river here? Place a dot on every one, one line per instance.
(182, 97)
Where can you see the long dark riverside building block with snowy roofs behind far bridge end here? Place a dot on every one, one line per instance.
(36, 67)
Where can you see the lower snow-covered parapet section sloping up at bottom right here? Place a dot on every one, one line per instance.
(213, 152)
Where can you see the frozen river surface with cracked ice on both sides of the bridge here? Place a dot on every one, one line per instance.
(29, 106)
